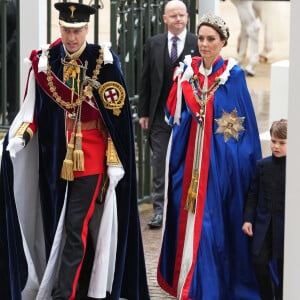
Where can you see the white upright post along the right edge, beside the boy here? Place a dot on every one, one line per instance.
(292, 208)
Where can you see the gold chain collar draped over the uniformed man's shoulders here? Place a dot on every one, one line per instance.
(52, 87)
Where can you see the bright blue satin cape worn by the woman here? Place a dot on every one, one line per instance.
(223, 268)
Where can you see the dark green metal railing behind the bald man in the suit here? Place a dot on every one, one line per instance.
(132, 22)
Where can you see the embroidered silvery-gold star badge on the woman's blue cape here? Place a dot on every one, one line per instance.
(230, 125)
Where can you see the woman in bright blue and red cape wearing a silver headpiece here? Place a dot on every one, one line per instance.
(211, 159)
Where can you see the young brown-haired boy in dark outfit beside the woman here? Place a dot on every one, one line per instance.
(264, 212)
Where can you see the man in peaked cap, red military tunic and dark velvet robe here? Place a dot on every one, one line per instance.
(73, 128)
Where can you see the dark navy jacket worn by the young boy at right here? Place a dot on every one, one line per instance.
(265, 204)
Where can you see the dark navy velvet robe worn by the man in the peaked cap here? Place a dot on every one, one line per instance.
(130, 275)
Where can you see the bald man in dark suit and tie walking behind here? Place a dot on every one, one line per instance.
(162, 54)
